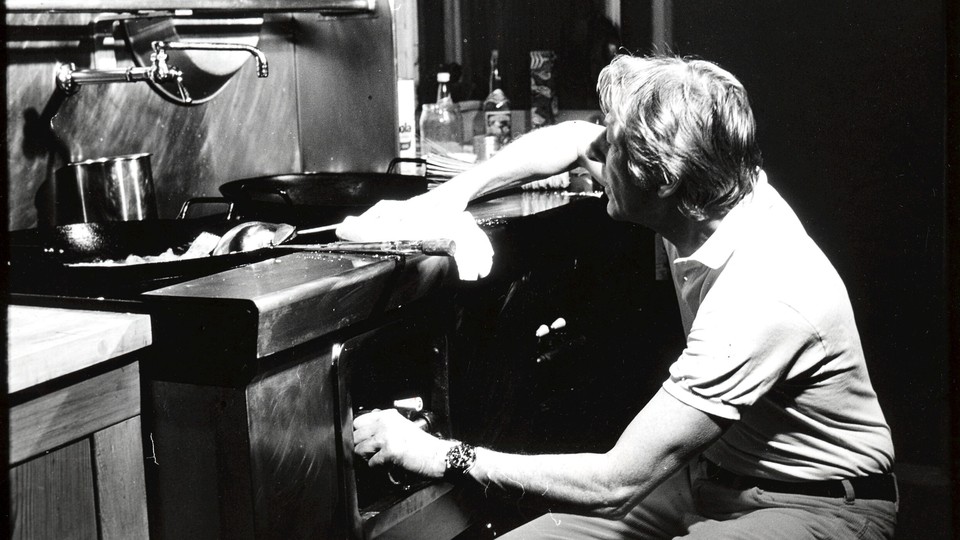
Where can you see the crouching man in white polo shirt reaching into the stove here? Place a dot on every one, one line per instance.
(767, 426)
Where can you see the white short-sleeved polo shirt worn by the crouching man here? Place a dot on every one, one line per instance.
(772, 343)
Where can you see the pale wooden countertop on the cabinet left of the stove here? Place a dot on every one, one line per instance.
(46, 343)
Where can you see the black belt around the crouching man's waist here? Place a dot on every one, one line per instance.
(875, 486)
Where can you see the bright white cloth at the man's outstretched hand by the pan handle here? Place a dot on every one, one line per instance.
(406, 220)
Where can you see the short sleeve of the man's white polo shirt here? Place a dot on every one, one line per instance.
(734, 355)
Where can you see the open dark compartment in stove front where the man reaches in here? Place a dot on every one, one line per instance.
(402, 361)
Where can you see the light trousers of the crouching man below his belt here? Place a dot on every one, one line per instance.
(691, 506)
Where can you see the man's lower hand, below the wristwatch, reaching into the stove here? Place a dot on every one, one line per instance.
(386, 437)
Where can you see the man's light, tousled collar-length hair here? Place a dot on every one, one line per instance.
(684, 121)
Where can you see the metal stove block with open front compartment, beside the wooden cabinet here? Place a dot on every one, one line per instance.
(255, 378)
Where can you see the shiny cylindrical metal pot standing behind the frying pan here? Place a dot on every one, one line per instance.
(116, 188)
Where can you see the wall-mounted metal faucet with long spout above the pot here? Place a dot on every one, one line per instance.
(70, 79)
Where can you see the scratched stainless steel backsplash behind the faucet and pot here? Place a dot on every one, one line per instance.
(329, 104)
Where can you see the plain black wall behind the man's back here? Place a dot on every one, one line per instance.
(850, 103)
